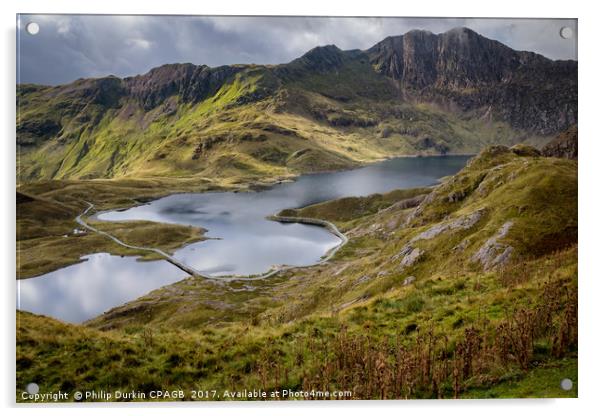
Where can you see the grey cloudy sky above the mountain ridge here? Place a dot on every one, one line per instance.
(68, 47)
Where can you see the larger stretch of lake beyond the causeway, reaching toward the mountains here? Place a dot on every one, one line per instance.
(250, 244)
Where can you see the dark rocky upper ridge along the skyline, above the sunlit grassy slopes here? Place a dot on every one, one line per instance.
(459, 69)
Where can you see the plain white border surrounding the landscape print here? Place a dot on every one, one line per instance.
(590, 285)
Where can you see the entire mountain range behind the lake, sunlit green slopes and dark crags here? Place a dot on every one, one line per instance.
(419, 93)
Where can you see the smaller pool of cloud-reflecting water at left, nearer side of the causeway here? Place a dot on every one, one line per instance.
(84, 290)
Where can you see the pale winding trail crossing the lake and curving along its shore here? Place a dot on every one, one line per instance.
(195, 273)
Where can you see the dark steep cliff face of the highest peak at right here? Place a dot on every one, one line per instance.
(475, 73)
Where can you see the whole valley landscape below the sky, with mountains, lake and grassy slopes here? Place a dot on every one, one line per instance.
(448, 162)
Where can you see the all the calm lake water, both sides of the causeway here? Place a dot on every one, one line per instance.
(246, 243)
